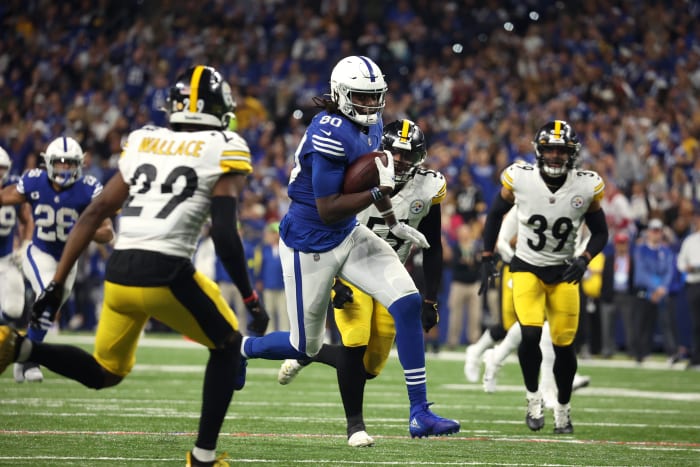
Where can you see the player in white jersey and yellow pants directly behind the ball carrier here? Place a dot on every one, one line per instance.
(366, 327)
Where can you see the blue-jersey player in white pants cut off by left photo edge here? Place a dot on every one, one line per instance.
(11, 281)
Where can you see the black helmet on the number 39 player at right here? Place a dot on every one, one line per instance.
(560, 135)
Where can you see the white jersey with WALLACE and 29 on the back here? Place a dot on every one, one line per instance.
(170, 176)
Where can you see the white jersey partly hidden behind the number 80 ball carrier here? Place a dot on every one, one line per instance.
(411, 205)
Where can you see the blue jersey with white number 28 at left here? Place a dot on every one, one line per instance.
(55, 212)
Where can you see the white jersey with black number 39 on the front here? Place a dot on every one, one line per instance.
(548, 222)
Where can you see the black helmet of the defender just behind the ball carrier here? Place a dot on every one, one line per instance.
(405, 138)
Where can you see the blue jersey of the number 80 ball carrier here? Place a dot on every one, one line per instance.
(340, 142)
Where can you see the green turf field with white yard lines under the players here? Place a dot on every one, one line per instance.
(631, 416)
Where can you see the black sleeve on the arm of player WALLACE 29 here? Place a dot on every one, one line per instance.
(227, 242)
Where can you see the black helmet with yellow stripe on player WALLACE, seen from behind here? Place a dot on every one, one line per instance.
(201, 96)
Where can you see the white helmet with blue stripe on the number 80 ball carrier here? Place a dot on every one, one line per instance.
(358, 75)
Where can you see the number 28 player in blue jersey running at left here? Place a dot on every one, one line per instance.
(57, 196)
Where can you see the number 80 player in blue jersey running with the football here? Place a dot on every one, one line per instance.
(320, 237)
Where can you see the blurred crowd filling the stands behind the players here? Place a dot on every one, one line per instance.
(479, 77)
